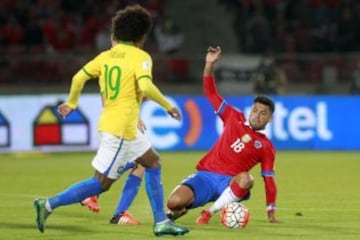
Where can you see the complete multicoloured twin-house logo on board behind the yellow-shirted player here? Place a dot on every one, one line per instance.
(49, 128)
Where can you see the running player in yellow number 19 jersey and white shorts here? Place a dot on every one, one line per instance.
(125, 75)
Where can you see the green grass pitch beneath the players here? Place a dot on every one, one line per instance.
(322, 186)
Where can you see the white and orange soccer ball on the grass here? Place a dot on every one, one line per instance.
(234, 215)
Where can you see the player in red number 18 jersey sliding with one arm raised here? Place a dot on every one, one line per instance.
(223, 173)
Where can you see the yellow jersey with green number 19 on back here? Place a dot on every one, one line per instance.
(119, 71)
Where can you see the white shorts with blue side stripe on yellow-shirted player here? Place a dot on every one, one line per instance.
(115, 152)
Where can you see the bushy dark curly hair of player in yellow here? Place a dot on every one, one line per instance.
(131, 24)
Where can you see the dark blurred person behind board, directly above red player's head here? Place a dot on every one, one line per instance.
(269, 77)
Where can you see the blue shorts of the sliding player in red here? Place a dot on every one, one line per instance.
(207, 187)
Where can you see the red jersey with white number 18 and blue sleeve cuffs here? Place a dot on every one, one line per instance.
(239, 147)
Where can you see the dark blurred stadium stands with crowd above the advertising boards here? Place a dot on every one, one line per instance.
(315, 42)
